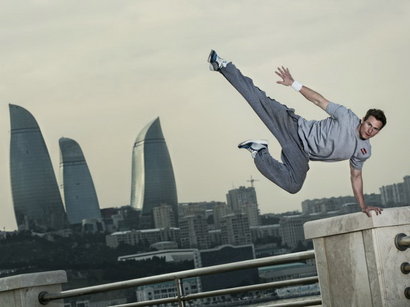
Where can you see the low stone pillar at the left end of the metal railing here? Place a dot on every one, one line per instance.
(23, 290)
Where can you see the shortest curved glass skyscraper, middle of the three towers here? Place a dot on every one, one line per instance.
(80, 198)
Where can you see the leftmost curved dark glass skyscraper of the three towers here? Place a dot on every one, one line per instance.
(36, 198)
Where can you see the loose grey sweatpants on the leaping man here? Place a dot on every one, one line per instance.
(283, 123)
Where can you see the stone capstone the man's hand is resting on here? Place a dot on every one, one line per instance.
(356, 222)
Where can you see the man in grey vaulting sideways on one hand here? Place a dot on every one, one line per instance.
(342, 136)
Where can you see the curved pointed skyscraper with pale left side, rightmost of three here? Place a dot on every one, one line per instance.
(152, 178)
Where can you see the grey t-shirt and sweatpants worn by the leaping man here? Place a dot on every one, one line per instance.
(332, 139)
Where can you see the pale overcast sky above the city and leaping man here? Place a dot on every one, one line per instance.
(99, 71)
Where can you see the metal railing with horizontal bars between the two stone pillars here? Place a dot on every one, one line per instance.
(181, 298)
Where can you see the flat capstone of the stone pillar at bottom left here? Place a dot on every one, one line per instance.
(32, 280)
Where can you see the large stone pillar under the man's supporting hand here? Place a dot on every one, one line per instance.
(357, 261)
